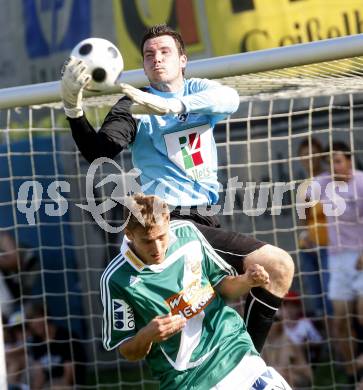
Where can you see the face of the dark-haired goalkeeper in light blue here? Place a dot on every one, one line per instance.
(163, 65)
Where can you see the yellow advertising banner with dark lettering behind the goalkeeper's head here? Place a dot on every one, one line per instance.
(221, 27)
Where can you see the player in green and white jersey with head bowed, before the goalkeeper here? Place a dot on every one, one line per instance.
(163, 301)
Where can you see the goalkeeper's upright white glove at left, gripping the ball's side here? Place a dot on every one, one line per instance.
(74, 79)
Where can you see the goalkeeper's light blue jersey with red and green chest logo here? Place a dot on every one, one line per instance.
(177, 154)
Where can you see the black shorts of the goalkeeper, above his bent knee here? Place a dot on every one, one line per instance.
(231, 246)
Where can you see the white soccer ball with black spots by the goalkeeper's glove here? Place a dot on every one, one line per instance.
(103, 60)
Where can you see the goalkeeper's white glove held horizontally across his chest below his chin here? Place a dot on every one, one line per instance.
(149, 104)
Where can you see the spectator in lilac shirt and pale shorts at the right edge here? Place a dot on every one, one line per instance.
(343, 202)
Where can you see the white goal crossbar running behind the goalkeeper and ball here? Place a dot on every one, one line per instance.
(216, 67)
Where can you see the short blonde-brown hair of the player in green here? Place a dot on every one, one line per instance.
(146, 211)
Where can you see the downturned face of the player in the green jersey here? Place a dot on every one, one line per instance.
(150, 245)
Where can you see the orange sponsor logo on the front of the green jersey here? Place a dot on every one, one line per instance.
(192, 300)
